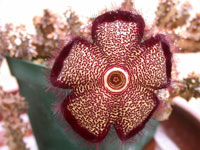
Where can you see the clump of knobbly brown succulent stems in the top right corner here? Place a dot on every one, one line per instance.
(175, 18)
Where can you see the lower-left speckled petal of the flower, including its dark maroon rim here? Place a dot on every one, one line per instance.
(88, 114)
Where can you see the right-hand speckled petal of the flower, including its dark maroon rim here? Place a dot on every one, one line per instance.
(153, 67)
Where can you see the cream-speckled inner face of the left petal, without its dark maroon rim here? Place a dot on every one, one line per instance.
(81, 69)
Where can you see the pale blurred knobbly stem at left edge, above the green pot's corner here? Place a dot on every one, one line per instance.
(16, 42)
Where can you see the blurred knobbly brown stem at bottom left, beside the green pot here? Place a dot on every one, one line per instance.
(11, 107)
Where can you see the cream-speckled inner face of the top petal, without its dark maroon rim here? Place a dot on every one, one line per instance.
(120, 39)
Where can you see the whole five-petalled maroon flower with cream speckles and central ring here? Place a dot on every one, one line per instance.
(113, 78)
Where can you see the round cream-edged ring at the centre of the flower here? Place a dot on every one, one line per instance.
(116, 79)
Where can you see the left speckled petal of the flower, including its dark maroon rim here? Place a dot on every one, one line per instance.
(77, 67)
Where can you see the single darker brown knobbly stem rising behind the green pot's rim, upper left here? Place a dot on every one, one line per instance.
(50, 29)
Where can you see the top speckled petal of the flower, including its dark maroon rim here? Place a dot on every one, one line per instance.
(117, 32)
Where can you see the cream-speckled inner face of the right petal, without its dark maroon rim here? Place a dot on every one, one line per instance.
(150, 67)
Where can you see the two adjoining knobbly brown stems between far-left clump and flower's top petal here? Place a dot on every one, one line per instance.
(52, 28)
